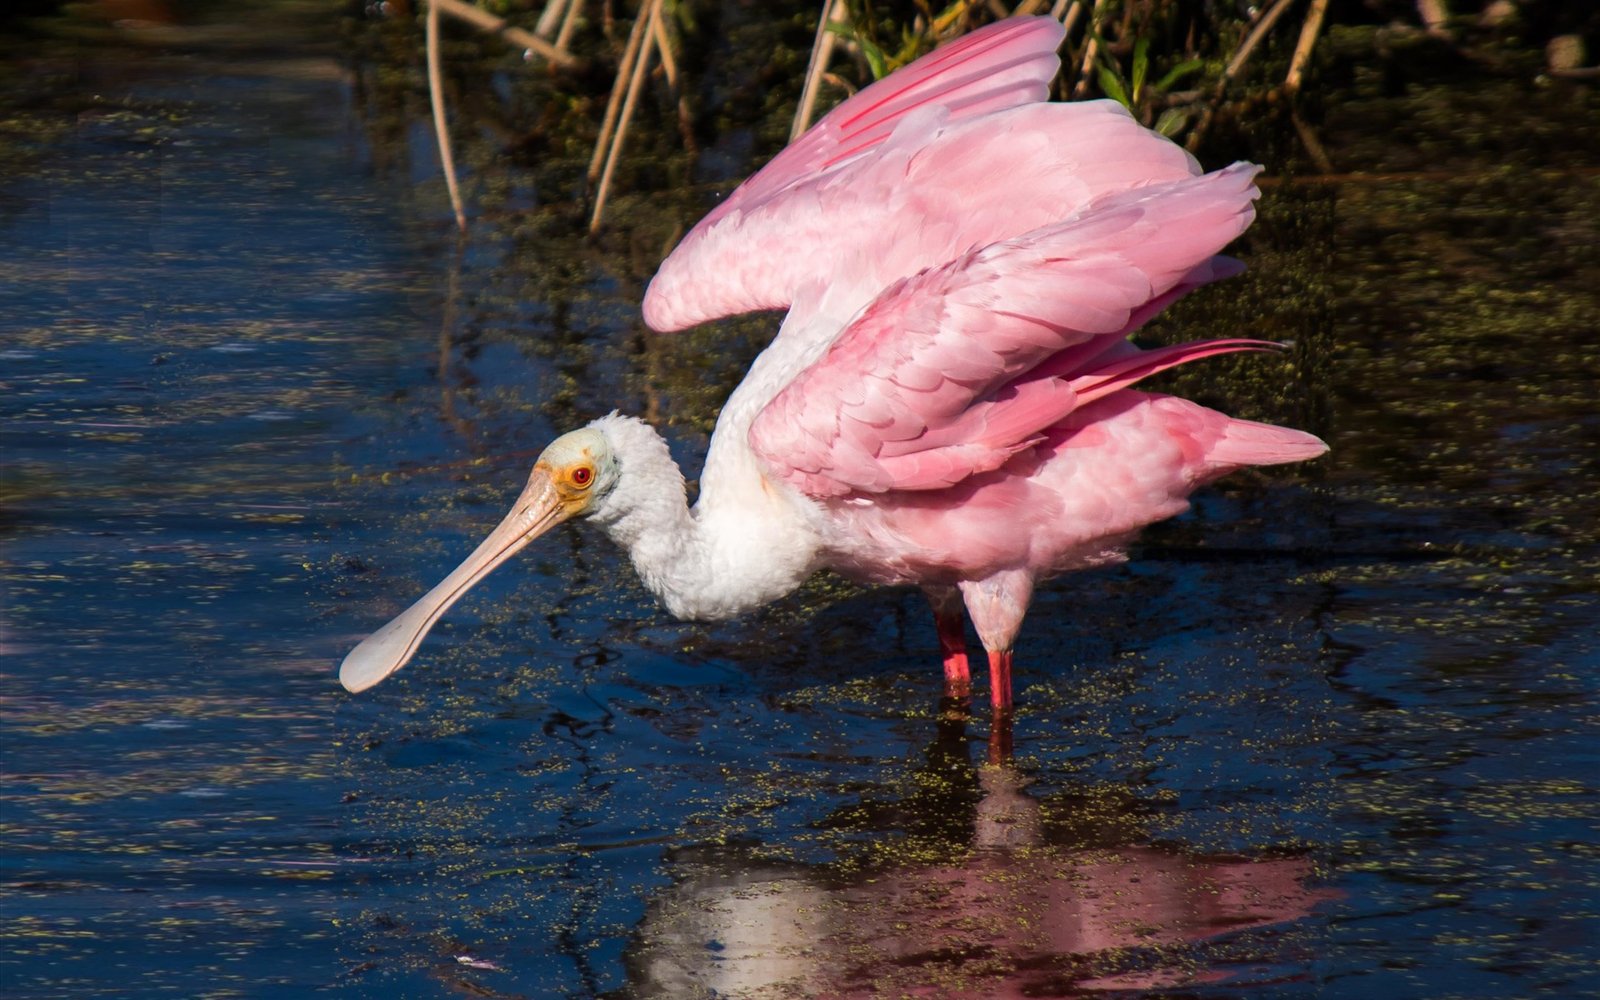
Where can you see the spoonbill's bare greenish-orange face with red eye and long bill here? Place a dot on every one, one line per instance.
(574, 478)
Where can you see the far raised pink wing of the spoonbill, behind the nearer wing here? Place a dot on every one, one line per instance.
(951, 153)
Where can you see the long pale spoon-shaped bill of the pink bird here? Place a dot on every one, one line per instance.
(390, 649)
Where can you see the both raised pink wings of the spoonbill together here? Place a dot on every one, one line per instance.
(964, 262)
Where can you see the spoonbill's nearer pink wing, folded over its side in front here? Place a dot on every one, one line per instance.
(953, 372)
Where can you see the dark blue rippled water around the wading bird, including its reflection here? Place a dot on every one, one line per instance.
(1330, 734)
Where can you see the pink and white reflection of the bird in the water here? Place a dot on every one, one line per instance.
(1014, 906)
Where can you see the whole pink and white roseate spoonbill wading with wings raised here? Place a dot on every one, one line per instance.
(948, 401)
